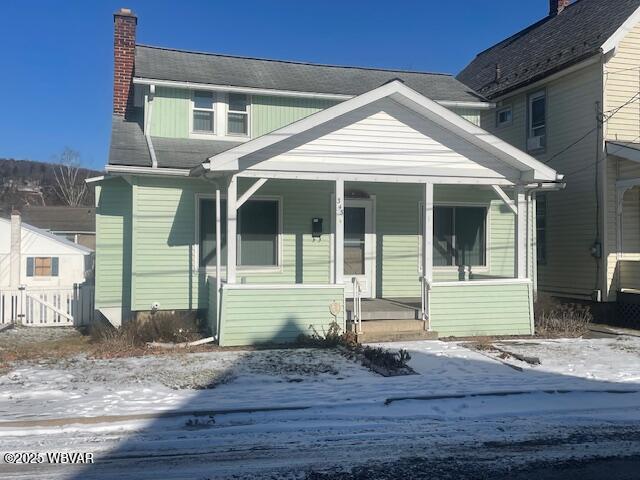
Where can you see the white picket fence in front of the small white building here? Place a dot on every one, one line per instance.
(47, 307)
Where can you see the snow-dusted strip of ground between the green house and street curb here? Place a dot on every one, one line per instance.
(275, 378)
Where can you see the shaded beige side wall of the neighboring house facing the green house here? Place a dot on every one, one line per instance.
(571, 221)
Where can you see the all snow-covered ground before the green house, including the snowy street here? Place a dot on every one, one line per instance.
(460, 396)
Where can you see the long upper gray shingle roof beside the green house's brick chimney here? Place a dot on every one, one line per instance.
(166, 64)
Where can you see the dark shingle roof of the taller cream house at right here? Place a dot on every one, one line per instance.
(547, 46)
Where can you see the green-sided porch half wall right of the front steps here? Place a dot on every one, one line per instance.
(470, 309)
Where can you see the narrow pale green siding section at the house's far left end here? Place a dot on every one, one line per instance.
(113, 244)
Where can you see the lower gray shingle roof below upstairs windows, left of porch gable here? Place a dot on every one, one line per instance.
(129, 147)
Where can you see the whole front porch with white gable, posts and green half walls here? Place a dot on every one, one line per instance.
(429, 232)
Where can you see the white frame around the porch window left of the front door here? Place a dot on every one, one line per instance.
(243, 269)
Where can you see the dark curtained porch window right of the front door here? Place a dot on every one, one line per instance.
(459, 236)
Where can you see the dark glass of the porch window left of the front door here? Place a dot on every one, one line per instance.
(258, 228)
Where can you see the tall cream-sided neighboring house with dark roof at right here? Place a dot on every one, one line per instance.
(567, 91)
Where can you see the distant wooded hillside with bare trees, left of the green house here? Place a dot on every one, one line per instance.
(25, 182)
